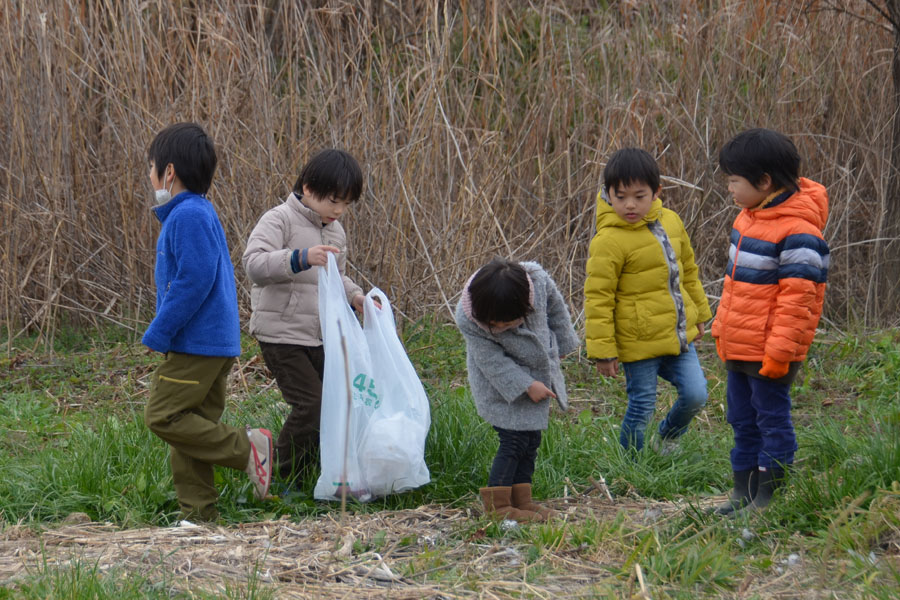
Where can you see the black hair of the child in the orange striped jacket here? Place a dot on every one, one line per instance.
(755, 153)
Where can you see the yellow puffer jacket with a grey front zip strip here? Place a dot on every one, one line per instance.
(629, 312)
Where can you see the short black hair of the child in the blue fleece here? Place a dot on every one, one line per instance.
(190, 151)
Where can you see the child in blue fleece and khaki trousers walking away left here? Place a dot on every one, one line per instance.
(196, 327)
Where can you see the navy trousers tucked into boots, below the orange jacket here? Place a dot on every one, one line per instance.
(759, 411)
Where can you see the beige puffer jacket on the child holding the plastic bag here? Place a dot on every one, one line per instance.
(285, 304)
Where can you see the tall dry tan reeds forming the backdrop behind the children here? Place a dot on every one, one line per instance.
(482, 127)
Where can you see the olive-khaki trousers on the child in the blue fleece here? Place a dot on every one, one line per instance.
(187, 398)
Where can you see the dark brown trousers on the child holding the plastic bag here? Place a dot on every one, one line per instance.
(298, 370)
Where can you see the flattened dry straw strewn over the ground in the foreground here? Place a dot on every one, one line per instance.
(326, 559)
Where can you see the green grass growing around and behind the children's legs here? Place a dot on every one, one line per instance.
(72, 439)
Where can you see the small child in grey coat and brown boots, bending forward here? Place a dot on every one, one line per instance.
(517, 328)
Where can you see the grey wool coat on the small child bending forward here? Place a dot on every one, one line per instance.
(501, 366)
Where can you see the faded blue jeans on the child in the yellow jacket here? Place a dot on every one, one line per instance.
(684, 372)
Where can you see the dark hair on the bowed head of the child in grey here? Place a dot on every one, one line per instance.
(500, 292)
